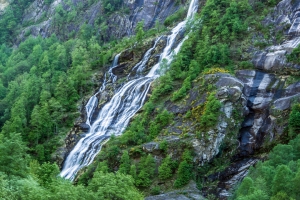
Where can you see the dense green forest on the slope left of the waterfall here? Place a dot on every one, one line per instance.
(41, 82)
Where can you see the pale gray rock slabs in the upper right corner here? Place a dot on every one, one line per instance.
(285, 18)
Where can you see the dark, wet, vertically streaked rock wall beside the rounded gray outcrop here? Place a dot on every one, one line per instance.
(265, 95)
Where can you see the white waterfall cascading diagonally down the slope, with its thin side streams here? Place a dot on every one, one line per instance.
(114, 117)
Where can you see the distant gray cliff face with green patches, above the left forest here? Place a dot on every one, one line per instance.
(44, 19)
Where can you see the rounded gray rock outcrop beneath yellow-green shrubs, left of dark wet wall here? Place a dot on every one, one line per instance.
(229, 93)
